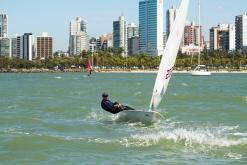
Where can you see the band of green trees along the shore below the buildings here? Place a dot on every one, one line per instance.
(110, 59)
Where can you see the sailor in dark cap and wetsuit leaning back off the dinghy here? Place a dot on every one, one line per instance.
(111, 107)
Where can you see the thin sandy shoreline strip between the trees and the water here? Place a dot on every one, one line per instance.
(108, 71)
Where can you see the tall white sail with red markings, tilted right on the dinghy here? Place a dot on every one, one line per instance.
(169, 56)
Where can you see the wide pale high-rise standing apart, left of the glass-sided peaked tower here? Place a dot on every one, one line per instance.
(78, 40)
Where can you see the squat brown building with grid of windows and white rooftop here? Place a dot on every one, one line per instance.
(44, 46)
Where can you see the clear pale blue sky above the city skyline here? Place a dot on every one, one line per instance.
(54, 16)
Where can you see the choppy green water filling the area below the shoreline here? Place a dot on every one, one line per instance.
(57, 119)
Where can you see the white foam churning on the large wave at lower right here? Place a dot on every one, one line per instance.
(189, 137)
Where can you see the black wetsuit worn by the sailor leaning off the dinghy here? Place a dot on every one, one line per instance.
(110, 107)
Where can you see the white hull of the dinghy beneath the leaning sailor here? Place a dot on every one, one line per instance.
(145, 117)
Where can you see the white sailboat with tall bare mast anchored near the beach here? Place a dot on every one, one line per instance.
(200, 70)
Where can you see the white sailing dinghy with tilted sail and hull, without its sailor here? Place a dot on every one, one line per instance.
(164, 72)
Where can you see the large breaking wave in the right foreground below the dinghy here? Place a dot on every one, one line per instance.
(189, 137)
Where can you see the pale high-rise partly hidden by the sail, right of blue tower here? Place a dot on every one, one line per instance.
(170, 18)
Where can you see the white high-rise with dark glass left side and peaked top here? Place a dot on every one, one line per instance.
(120, 35)
